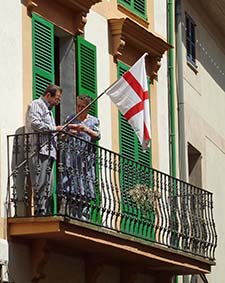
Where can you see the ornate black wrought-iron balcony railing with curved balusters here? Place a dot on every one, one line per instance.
(99, 186)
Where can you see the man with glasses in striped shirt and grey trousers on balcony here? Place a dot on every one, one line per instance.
(40, 125)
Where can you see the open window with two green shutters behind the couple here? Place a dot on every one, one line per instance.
(54, 58)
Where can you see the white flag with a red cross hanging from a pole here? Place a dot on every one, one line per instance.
(130, 94)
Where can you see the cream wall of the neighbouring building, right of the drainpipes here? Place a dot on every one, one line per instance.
(205, 123)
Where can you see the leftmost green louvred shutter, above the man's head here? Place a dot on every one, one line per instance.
(43, 54)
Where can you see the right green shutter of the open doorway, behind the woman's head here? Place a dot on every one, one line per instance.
(86, 71)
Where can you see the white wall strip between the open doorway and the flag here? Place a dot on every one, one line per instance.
(96, 31)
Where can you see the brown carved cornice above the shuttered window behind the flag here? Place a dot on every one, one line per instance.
(137, 40)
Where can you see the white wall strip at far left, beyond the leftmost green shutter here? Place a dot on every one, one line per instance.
(11, 81)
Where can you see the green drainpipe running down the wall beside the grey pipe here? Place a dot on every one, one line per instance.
(171, 86)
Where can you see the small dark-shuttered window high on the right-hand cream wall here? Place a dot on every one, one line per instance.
(190, 40)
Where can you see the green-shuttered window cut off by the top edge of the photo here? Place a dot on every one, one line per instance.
(138, 7)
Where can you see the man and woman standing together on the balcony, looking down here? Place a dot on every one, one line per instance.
(78, 156)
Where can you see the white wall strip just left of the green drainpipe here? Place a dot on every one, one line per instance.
(160, 21)
